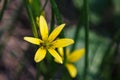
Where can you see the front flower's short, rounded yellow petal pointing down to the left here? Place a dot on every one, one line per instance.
(40, 54)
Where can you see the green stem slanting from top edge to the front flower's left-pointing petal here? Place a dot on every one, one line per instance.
(34, 26)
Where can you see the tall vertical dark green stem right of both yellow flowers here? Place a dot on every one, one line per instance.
(86, 24)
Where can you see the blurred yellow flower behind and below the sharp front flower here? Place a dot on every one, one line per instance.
(70, 59)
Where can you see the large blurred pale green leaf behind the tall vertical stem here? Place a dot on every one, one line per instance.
(97, 47)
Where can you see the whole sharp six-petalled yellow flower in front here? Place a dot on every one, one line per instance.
(48, 43)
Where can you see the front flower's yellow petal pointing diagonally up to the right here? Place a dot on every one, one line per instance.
(55, 32)
